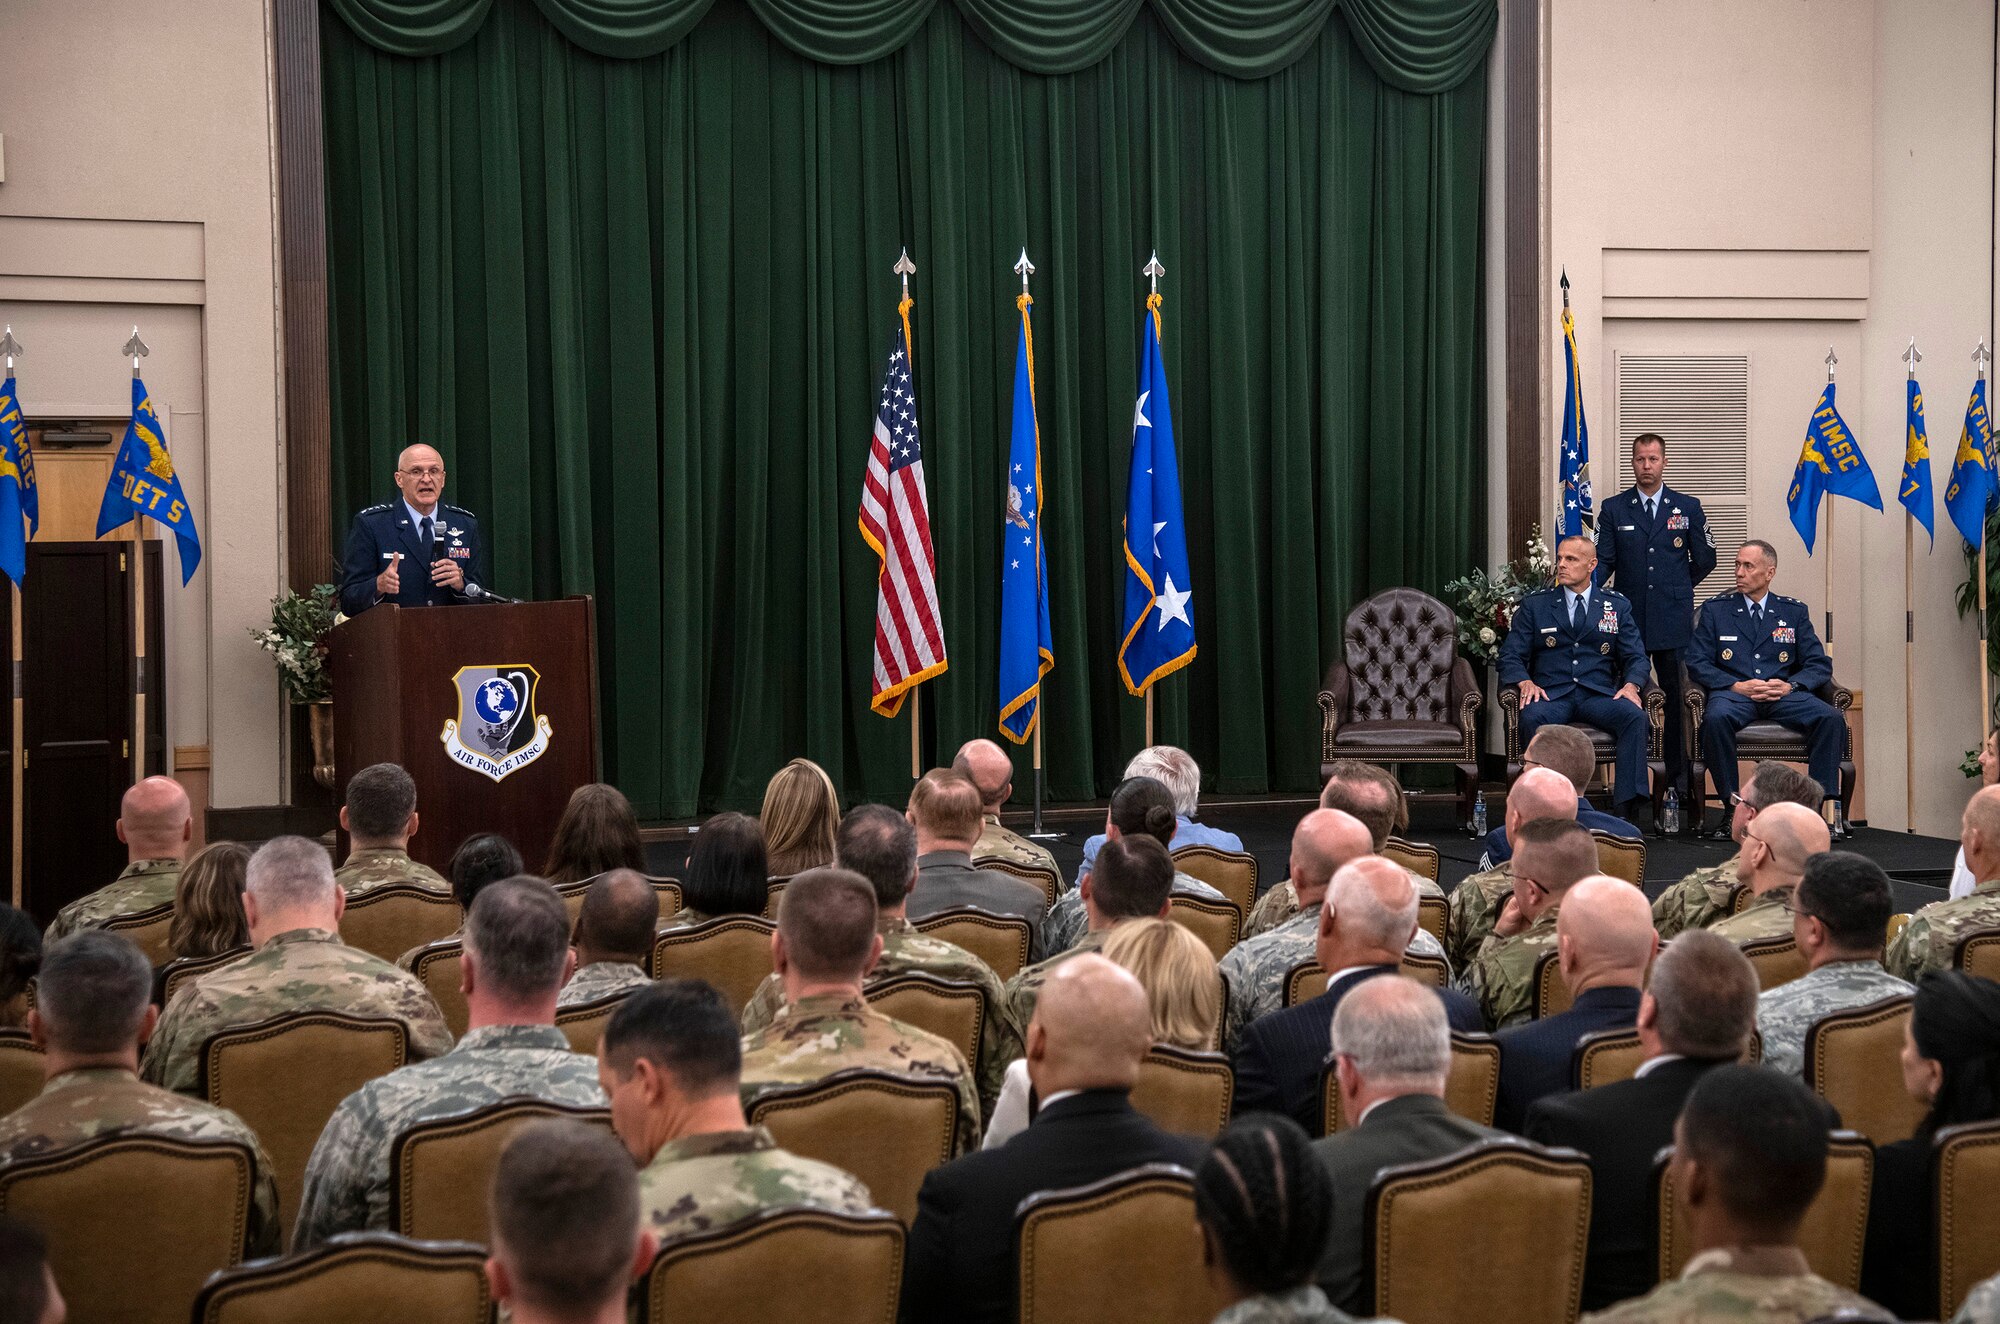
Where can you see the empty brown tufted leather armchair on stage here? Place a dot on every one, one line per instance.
(1401, 693)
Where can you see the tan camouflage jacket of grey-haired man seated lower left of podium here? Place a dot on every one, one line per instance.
(299, 971)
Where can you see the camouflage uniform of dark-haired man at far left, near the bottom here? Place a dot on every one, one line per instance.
(109, 1101)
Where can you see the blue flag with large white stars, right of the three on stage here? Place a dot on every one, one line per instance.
(1159, 629)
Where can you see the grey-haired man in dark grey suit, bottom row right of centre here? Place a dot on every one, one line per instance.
(1393, 1051)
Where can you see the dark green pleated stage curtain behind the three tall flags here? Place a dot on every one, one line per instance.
(641, 305)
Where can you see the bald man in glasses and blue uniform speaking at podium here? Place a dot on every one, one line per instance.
(413, 551)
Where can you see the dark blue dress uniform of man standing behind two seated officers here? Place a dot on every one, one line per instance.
(1657, 561)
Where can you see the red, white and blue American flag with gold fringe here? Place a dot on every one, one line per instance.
(897, 525)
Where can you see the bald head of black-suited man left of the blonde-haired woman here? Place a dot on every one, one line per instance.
(1091, 1029)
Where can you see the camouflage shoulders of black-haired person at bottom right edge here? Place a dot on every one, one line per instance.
(1759, 1285)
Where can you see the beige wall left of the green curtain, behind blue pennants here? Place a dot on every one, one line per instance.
(139, 189)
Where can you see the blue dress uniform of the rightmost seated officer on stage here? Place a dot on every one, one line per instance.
(1733, 643)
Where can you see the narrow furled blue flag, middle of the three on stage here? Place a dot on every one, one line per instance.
(1027, 649)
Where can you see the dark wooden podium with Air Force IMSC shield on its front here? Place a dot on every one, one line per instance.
(491, 707)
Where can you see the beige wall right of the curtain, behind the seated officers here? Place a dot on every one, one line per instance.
(1777, 179)
